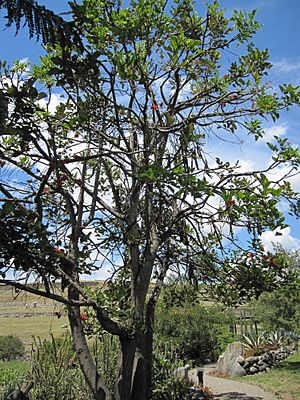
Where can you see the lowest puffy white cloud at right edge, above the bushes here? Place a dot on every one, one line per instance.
(286, 240)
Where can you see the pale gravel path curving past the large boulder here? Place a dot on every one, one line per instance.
(225, 389)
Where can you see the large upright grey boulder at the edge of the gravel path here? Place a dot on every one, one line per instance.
(227, 362)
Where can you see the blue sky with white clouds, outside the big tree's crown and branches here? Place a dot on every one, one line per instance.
(280, 34)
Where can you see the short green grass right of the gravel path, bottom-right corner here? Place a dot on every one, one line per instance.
(282, 380)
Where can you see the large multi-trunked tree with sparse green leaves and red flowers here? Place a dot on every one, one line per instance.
(119, 173)
